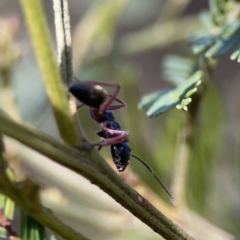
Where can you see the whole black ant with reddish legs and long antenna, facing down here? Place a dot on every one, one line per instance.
(99, 101)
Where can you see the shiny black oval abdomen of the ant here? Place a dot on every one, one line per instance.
(92, 95)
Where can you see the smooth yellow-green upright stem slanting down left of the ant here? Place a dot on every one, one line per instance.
(37, 25)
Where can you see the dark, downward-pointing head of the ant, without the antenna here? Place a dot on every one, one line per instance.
(121, 155)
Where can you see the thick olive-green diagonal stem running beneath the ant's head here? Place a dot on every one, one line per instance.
(98, 172)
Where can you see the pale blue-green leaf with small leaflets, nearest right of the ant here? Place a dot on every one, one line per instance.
(158, 103)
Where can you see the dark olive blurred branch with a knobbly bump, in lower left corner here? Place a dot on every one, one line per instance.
(27, 198)
